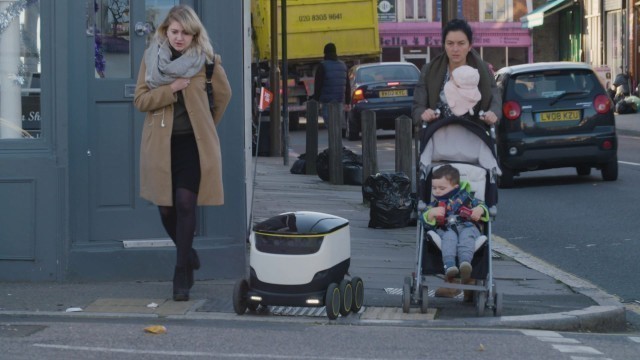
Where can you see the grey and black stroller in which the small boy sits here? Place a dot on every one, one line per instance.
(468, 146)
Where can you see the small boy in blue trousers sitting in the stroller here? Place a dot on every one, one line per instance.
(455, 215)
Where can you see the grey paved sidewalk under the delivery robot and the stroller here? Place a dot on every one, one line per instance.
(535, 294)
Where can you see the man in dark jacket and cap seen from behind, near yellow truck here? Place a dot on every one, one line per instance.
(331, 81)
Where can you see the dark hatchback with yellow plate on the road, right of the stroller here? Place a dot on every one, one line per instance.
(555, 114)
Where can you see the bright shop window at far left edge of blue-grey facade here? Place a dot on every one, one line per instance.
(20, 70)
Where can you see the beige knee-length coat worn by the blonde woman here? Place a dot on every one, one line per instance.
(155, 147)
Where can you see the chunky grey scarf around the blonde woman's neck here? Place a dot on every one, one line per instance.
(161, 70)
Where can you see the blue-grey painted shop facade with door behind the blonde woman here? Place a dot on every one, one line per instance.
(70, 137)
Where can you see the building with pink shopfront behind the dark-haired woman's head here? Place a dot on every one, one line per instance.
(410, 30)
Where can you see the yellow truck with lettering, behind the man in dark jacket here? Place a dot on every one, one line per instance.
(350, 24)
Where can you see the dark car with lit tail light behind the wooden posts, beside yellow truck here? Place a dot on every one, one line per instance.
(386, 88)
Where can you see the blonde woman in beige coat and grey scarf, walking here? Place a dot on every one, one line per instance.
(180, 157)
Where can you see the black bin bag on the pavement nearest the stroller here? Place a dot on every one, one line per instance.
(391, 202)
